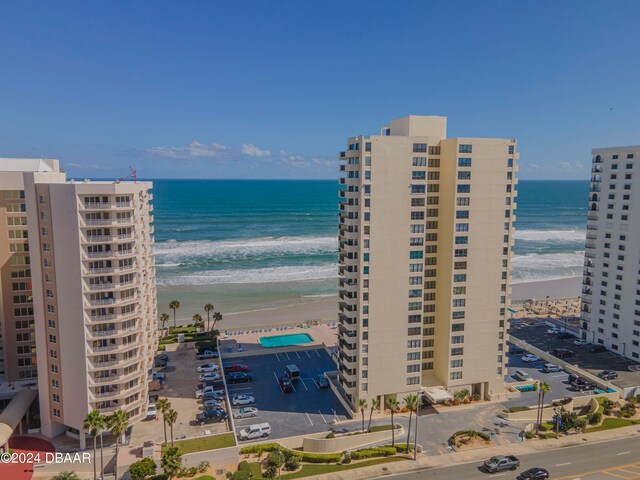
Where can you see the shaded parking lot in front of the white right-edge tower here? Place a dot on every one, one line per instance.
(592, 362)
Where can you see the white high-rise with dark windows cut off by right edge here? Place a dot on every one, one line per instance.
(611, 281)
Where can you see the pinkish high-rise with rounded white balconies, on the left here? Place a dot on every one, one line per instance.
(92, 289)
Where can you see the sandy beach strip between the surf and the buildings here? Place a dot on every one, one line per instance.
(302, 309)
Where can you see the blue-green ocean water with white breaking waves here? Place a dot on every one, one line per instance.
(265, 241)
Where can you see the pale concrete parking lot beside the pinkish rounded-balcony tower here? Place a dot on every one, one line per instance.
(179, 387)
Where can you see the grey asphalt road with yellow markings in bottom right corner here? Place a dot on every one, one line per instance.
(598, 461)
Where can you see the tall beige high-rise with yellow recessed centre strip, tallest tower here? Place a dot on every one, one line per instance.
(425, 247)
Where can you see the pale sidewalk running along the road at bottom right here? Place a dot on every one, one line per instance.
(481, 454)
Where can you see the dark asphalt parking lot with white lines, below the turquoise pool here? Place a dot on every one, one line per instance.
(307, 409)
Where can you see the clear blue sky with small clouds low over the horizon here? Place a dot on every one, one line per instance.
(268, 89)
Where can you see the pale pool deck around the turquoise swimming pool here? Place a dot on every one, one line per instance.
(322, 334)
